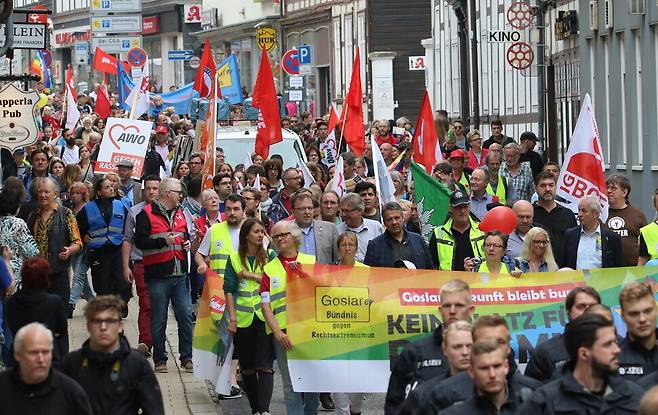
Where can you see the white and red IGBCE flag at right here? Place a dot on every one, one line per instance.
(582, 170)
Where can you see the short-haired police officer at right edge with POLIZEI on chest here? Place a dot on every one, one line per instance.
(639, 354)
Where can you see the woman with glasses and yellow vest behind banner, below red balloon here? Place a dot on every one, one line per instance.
(495, 260)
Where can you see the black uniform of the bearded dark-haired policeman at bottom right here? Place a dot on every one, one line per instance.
(566, 396)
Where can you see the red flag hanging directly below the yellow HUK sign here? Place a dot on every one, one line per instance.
(265, 99)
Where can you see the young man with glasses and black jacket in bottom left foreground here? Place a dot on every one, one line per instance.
(117, 379)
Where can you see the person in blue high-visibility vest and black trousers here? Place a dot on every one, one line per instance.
(101, 223)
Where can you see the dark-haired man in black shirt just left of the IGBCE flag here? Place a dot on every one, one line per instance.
(553, 217)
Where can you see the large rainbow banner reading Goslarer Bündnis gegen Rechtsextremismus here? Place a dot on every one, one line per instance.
(348, 325)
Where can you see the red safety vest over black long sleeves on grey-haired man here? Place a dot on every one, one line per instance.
(161, 228)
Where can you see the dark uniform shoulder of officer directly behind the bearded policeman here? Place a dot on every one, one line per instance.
(547, 359)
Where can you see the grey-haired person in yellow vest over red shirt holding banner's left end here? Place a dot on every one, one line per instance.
(287, 238)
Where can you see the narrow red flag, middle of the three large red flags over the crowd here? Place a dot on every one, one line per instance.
(354, 132)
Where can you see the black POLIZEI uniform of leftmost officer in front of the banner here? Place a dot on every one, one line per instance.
(420, 361)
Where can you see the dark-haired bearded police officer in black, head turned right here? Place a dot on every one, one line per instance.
(588, 384)
